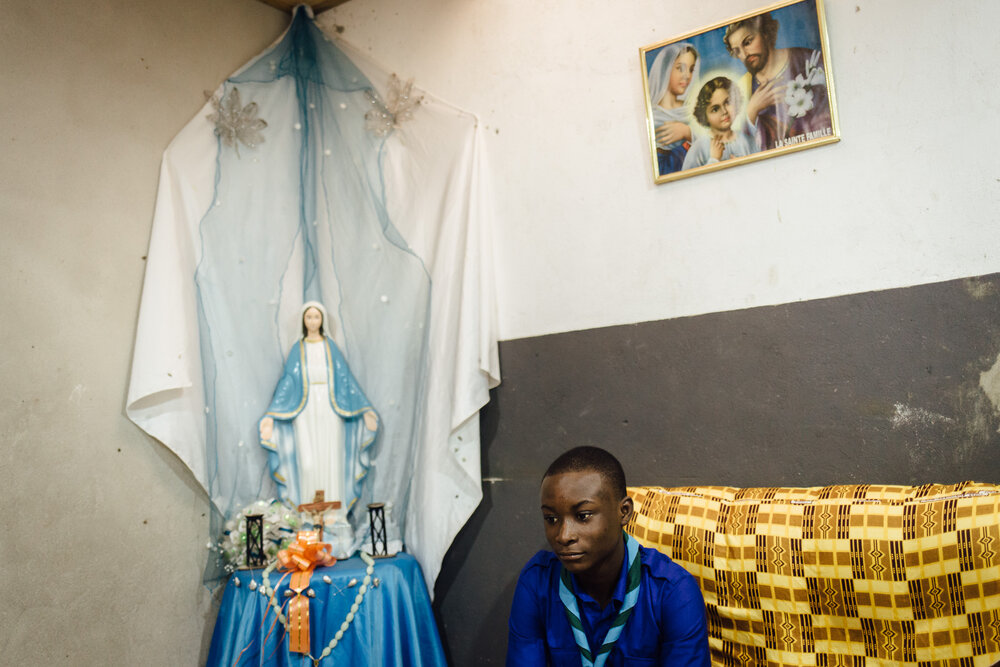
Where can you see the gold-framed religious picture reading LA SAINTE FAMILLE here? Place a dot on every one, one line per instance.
(753, 87)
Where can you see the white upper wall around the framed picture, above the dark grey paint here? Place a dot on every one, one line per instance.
(584, 239)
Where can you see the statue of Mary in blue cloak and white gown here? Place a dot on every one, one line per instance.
(319, 425)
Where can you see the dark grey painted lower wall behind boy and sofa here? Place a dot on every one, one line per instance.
(899, 386)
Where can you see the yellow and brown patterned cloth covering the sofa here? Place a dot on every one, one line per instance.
(838, 575)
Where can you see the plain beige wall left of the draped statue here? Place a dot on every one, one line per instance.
(102, 530)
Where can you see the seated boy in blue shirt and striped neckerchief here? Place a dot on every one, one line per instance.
(598, 598)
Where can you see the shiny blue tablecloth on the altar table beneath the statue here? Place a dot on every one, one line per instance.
(394, 626)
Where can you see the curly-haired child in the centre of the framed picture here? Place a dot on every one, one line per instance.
(716, 109)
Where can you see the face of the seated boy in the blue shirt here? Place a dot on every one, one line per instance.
(583, 521)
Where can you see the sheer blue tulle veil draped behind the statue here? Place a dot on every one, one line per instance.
(301, 216)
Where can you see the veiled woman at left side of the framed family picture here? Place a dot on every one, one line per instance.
(672, 71)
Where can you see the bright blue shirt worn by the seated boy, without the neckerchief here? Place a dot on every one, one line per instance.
(667, 625)
